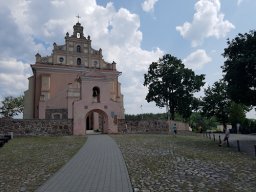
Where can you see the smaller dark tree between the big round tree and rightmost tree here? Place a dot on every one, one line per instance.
(216, 102)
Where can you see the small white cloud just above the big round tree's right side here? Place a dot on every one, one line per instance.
(197, 59)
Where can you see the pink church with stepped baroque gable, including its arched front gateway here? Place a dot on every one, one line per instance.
(75, 82)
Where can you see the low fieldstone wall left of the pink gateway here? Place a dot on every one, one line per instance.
(36, 127)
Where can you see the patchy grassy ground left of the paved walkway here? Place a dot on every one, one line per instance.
(27, 162)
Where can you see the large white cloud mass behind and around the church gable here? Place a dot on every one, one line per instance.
(117, 32)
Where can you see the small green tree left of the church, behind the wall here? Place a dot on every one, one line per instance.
(12, 106)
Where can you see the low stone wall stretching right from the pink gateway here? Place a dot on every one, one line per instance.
(149, 126)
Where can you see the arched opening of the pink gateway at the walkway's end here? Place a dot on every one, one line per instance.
(96, 121)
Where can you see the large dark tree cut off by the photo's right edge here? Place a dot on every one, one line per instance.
(240, 68)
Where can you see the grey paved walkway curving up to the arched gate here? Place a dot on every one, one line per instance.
(98, 167)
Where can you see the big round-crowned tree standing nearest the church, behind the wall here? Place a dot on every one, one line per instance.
(169, 82)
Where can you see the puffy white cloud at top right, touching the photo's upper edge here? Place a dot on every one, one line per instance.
(208, 21)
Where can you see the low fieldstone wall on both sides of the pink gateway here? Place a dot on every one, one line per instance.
(62, 127)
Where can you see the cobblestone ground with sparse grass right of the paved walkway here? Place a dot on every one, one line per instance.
(185, 163)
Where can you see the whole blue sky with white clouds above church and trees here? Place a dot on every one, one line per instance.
(133, 33)
